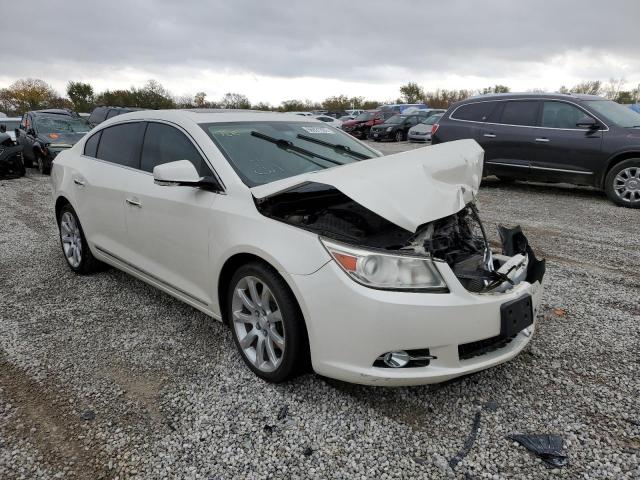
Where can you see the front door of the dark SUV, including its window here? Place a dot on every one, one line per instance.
(563, 151)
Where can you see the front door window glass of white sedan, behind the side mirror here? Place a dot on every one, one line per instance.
(164, 144)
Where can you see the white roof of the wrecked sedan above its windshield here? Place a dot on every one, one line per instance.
(207, 115)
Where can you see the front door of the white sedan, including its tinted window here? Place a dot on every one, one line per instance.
(169, 227)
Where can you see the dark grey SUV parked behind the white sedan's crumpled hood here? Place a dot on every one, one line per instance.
(579, 139)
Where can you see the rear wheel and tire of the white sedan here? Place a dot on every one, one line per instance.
(71, 237)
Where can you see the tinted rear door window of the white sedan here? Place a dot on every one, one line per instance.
(121, 144)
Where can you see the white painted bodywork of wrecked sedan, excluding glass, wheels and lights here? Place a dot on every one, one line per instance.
(180, 238)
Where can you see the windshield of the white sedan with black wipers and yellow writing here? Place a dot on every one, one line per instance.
(263, 152)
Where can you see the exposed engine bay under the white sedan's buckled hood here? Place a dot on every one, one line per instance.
(459, 239)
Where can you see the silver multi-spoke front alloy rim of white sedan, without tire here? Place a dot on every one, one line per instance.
(257, 321)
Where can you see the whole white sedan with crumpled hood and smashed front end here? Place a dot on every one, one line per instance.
(311, 246)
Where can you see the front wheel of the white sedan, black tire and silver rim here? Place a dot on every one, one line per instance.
(270, 321)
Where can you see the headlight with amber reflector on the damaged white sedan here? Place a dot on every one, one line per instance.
(386, 271)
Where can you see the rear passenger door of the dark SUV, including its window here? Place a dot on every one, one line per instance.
(508, 138)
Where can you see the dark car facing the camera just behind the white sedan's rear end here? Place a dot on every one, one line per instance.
(45, 133)
